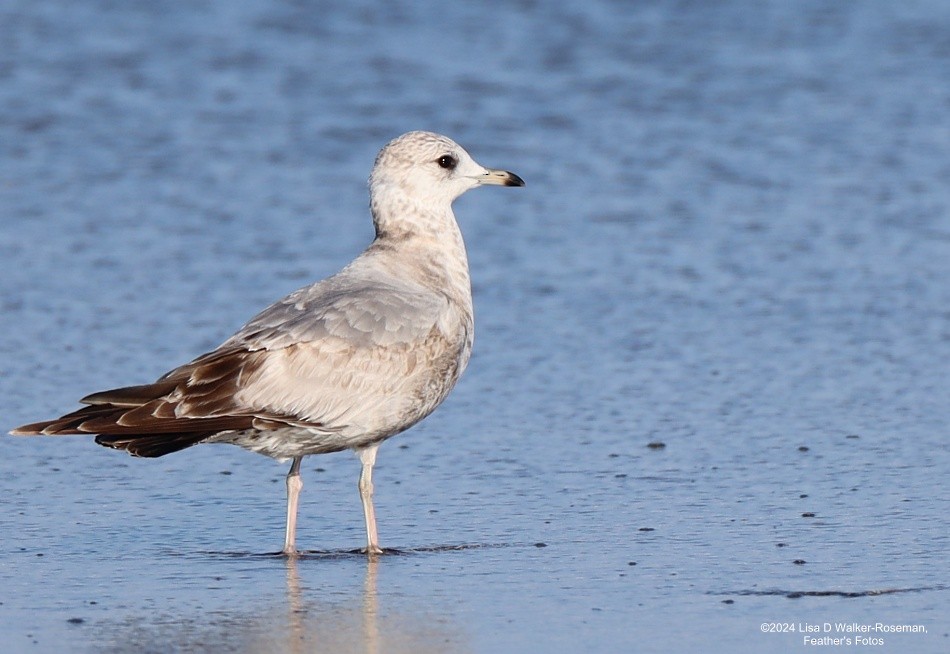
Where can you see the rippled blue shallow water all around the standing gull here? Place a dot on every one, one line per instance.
(734, 242)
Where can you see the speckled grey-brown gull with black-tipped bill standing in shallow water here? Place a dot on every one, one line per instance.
(344, 363)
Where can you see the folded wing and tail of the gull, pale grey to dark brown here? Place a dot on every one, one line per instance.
(340, 354)
